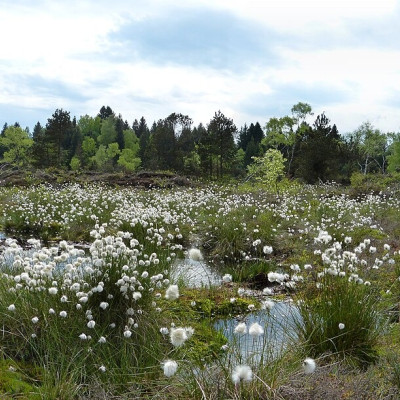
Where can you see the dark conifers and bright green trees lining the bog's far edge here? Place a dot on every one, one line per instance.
(107, 142)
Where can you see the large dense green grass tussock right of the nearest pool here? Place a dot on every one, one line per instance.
(339, 301)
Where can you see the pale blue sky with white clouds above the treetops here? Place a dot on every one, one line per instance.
(250, 59)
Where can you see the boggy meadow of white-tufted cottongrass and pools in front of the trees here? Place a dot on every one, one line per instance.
(307, 291)
